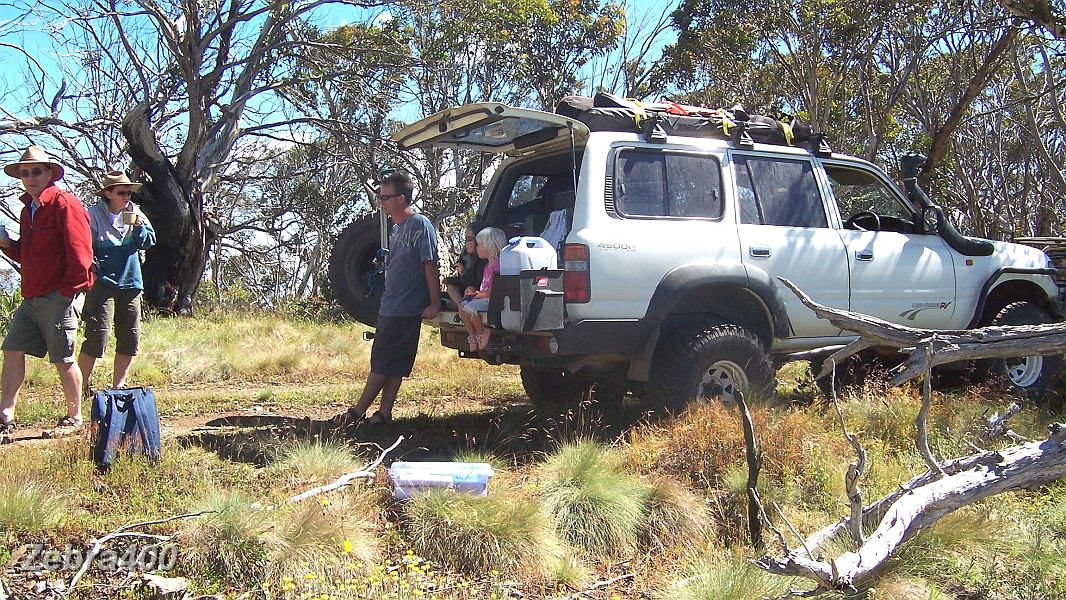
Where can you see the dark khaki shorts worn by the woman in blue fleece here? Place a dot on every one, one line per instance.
(105, 303)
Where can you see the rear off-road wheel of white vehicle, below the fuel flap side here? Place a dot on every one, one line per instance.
(701, 361)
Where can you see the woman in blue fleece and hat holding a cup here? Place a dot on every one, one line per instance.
(120, 233)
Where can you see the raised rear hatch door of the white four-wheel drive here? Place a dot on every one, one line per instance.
(492, 127)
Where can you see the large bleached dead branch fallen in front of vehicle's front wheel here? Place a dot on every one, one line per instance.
(945, 488)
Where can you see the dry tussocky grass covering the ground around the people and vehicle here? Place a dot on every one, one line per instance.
(645, 505)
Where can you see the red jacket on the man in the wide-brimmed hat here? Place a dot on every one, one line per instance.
(56, 251)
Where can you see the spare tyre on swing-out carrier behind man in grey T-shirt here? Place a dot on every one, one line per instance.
(357, 281)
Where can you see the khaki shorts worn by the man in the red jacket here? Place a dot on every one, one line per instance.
(47, 323)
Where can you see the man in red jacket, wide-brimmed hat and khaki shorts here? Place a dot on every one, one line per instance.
(56, 254)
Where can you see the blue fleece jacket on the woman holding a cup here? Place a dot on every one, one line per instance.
(117, 247)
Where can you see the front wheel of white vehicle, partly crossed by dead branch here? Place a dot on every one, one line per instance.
(1033, 378)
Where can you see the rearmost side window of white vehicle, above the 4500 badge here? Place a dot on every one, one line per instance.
(669, 185)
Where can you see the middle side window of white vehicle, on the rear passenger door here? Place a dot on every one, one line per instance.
(773, 191)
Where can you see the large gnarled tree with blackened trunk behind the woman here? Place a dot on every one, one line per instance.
(177, 87)
